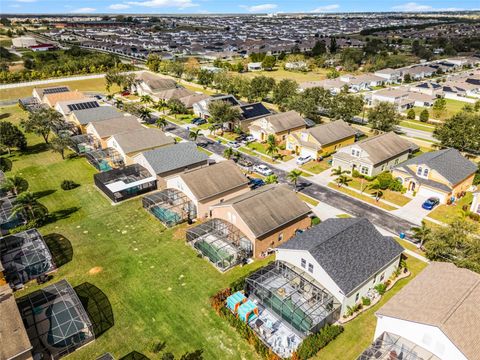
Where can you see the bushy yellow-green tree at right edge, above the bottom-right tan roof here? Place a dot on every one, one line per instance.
(457, 243)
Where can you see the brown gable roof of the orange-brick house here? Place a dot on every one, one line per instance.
(268, 208)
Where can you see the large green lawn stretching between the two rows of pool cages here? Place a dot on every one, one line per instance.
(158, 286)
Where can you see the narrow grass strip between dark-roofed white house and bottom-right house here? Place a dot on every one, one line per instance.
(358, 334)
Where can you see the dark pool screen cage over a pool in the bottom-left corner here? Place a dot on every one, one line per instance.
(55, 320)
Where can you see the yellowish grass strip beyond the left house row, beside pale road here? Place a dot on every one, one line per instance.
(96, 85)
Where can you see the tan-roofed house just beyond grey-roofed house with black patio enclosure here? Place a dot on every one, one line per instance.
(128, 144)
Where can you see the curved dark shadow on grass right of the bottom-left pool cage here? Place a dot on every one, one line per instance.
(98, 307)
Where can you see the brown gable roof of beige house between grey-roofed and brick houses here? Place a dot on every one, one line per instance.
(214, 179)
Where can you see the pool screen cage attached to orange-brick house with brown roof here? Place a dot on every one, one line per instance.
(221, 242)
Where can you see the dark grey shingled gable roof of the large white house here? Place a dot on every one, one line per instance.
(350, 251)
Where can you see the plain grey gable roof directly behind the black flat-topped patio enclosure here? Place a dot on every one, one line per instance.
(174, 157)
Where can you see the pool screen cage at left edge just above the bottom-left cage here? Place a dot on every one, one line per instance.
(25, 256)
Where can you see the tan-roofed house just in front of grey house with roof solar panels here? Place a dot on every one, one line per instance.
(102, 130)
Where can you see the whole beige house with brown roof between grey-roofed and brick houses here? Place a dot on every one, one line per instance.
(210, 185)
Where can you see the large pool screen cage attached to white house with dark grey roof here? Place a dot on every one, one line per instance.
(294, 296)
